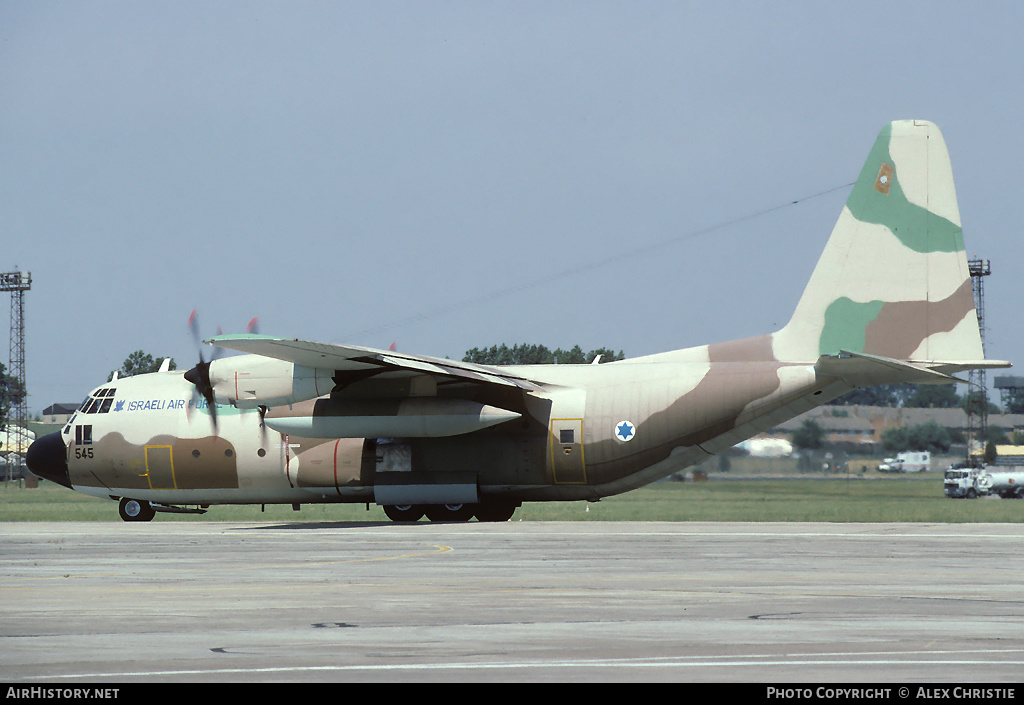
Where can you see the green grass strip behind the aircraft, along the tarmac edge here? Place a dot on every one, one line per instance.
(860, 499)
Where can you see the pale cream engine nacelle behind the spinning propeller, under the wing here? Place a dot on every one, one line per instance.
(247, 382)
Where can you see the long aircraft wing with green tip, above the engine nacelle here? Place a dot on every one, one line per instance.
(356, 363)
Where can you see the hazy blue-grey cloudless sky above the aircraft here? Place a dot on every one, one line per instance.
(643, 177)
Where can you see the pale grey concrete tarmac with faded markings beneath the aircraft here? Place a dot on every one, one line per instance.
(518, 602)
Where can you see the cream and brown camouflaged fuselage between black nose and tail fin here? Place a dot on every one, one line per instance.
(591, 432)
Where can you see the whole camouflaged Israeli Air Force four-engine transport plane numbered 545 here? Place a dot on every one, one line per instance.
(291, 422)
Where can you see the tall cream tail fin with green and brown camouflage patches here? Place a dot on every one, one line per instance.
(893, 281)
